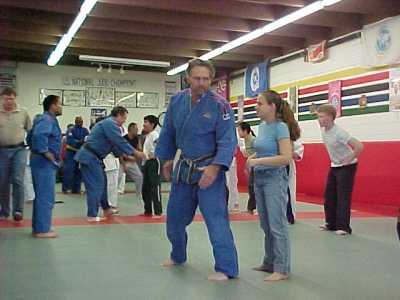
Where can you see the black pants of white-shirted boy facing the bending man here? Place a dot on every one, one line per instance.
(151, 190)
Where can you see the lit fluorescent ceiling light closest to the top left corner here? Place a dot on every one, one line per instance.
(66, 39)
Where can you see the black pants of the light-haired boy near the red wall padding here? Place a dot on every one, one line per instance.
(339, 187)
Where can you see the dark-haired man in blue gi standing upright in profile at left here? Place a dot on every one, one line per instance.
(44, 141)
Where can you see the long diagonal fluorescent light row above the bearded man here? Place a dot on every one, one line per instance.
(279, 23)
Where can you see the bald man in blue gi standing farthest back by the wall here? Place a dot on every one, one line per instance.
(72, 175)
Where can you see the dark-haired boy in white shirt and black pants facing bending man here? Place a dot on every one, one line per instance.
(151, 190)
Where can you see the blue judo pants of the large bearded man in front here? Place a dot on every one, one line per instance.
(182, 204)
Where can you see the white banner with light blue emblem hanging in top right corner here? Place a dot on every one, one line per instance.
(380, 42)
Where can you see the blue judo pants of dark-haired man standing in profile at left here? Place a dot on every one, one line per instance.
(44, 181)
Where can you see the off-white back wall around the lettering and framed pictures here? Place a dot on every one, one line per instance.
(31, 77)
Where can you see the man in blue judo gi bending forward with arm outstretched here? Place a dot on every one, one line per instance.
(105, 137)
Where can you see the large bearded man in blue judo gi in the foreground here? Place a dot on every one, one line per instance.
(201, 124)
